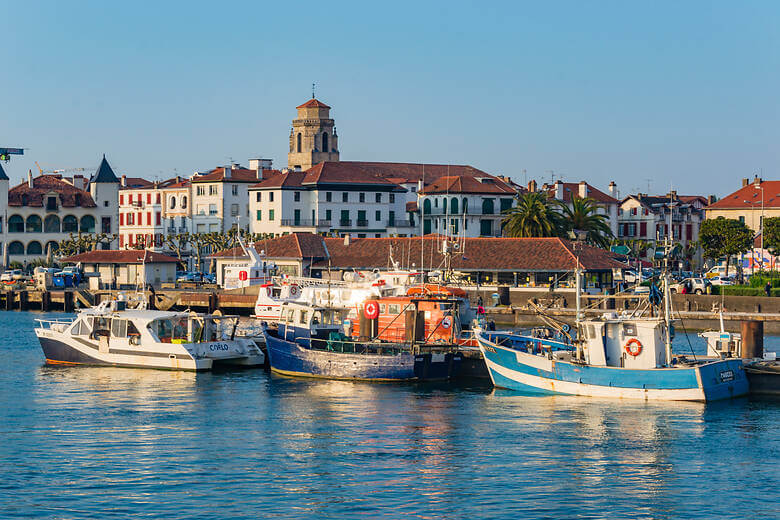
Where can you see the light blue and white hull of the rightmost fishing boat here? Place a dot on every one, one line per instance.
(516, 370)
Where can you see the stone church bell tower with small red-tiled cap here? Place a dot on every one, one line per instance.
(313, 136)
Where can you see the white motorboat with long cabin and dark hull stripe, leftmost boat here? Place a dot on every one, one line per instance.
(112, 335)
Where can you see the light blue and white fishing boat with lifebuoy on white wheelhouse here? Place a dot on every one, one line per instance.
(614, 356)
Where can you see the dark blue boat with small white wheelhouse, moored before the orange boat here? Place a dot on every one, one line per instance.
(309, 341)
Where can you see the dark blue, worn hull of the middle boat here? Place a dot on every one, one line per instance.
(290, 358)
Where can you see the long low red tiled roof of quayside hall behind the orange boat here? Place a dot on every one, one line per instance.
(509, 254)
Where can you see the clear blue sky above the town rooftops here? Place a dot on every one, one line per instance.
(680, 94)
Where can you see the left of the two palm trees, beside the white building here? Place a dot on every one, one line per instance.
(534, 215)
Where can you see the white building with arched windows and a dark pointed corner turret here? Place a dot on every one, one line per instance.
(47, 209)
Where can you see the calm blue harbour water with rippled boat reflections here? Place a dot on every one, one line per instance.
(82, 442)
